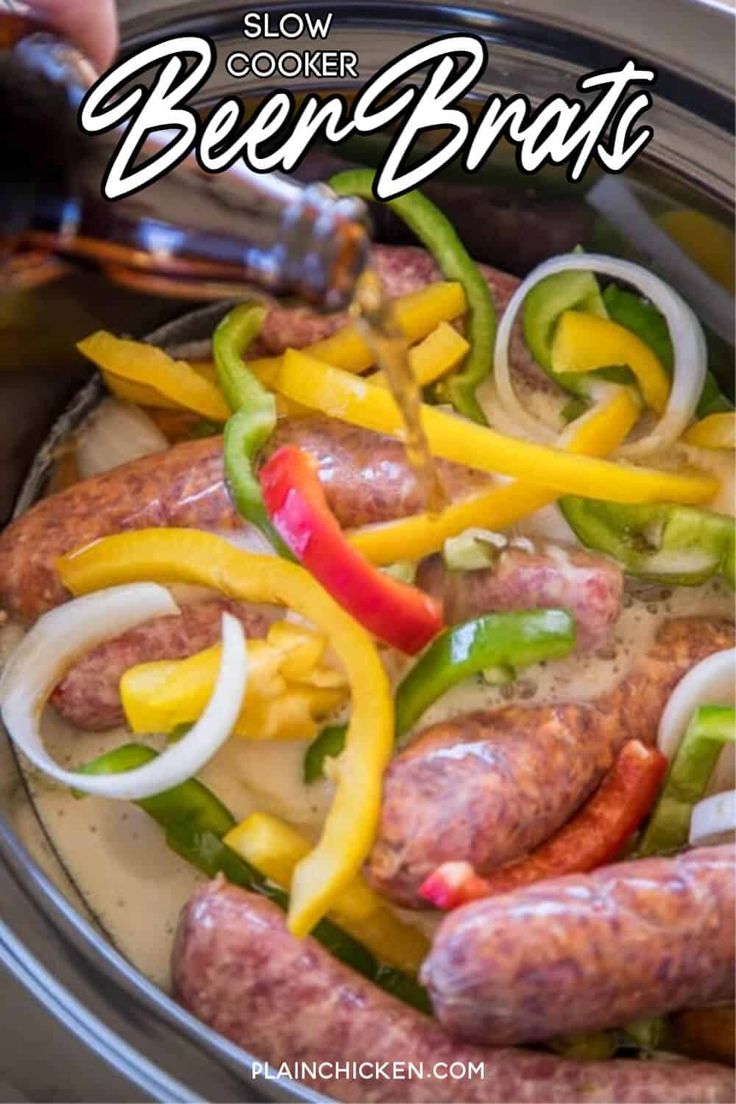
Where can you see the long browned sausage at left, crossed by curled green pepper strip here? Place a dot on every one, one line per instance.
(367, 480)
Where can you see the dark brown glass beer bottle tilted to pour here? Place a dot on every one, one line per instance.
(190, 233)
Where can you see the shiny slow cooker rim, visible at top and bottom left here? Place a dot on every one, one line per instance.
(125, 1020)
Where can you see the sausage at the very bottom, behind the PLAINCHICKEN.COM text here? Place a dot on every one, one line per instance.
(238, 969)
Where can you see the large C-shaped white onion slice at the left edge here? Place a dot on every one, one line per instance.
(62, 635)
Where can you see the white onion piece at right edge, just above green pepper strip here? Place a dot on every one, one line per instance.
(710, 683)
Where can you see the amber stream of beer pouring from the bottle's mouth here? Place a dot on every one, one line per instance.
(375, 315)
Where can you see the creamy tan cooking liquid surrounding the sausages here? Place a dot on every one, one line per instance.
(118, 857)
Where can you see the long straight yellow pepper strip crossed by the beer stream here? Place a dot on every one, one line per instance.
(358, 402)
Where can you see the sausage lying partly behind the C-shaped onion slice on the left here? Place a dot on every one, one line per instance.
(89, 695)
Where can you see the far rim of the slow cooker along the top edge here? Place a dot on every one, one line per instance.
(583, 37)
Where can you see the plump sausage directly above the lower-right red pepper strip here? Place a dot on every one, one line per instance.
(489, 787)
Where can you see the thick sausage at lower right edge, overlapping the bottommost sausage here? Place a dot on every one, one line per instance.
(589, 951)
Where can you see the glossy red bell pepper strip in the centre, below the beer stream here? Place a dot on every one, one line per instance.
(397, 613)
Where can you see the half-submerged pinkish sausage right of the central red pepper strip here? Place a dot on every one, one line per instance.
(589, 586)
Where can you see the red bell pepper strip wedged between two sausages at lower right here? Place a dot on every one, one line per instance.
(591, 840)
